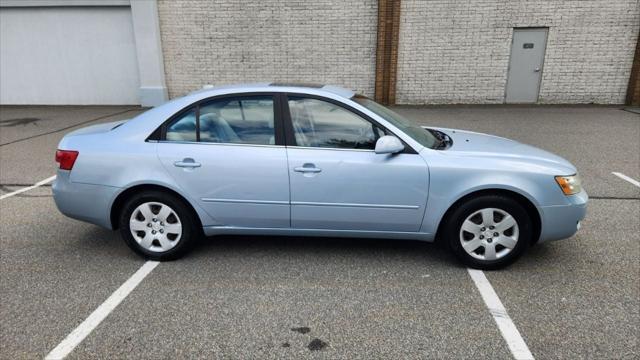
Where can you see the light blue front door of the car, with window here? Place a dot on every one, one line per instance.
(339, 182)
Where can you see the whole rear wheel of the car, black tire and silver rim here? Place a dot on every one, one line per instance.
(157, 226)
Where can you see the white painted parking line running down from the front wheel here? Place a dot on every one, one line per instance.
(510, 333)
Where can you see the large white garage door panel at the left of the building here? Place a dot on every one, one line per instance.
(67, 55)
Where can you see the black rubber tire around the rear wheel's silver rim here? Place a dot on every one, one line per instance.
(189, 231)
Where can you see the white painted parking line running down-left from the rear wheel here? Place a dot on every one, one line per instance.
(86, 327)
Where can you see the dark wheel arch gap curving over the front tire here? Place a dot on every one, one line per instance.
(526, 203)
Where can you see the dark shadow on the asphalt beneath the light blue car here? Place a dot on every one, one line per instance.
(109, 244)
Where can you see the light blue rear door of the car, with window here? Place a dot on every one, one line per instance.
(227, 154)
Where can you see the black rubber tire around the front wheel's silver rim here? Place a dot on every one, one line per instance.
(452, 230)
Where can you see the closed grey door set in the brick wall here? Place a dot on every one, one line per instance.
(525, 67)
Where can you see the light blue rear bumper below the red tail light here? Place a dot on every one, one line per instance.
(85, 202)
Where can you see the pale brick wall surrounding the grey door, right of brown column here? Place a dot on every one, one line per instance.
(458, 51)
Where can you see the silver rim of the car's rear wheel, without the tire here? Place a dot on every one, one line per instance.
(155, 226)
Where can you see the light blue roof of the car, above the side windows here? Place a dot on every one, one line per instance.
(279, 87)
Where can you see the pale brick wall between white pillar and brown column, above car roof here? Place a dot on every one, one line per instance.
(232, 41)
